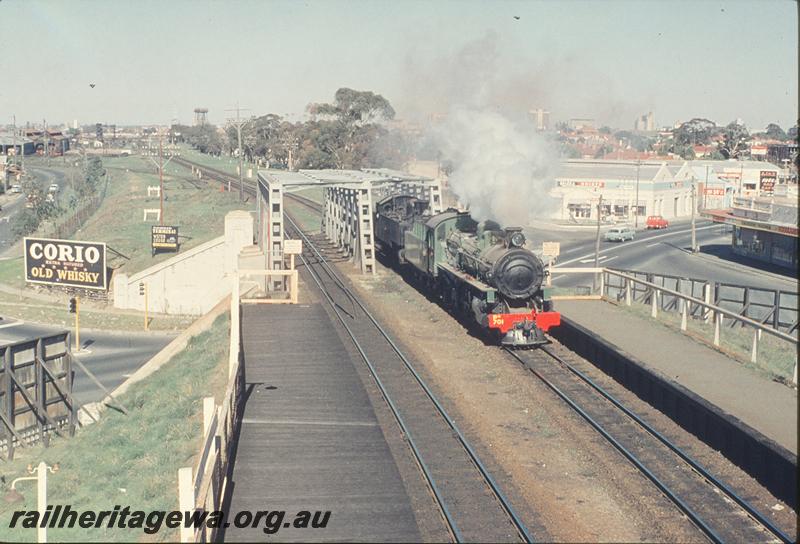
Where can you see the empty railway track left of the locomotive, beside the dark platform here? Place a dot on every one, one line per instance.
(472, 503)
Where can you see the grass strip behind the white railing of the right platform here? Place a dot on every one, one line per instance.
(776, 358)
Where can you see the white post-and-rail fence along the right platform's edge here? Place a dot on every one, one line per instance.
(688, 305)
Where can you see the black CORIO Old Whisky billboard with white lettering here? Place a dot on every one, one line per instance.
(68, 263)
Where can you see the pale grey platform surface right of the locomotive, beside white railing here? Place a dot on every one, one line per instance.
(759, 402)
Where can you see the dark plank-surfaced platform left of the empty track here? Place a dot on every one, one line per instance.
(310, 440)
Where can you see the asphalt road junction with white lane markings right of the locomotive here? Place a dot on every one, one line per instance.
(661, 251)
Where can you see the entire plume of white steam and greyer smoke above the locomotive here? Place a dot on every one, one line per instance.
(503, 169)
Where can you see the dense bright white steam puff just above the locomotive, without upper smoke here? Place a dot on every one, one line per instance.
(501, 170)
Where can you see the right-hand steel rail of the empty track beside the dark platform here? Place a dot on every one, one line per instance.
(494, 486)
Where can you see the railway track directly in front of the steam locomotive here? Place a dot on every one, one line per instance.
(716, 510)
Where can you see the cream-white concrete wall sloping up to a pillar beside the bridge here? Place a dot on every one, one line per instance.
(192, 282)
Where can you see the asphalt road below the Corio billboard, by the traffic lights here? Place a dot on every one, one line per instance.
(110, 356)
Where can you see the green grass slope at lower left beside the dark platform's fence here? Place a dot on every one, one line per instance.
(129, 460)
